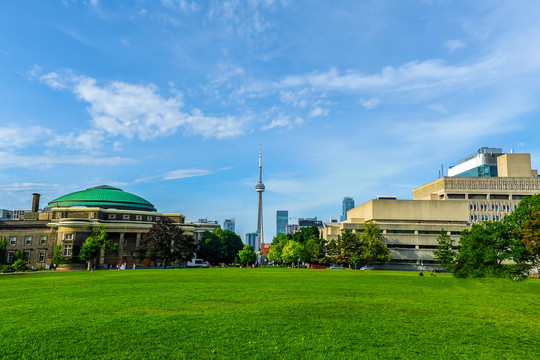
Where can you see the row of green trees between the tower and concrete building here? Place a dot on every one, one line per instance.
(362, 247)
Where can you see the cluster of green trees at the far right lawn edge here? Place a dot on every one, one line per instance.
(508, 248)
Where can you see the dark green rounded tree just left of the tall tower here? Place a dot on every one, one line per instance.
(220, 246)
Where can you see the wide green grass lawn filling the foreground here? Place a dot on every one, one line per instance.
(267, 313)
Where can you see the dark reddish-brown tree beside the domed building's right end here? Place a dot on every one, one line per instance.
(166, 241)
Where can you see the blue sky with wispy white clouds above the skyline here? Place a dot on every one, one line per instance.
(170, 100)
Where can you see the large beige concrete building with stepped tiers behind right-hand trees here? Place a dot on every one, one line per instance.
(411, 227)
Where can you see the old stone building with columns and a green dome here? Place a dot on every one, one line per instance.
(68, 220)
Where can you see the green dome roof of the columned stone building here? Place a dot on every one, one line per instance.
(103, 196)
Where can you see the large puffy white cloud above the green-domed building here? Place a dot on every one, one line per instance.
(123, 109)
